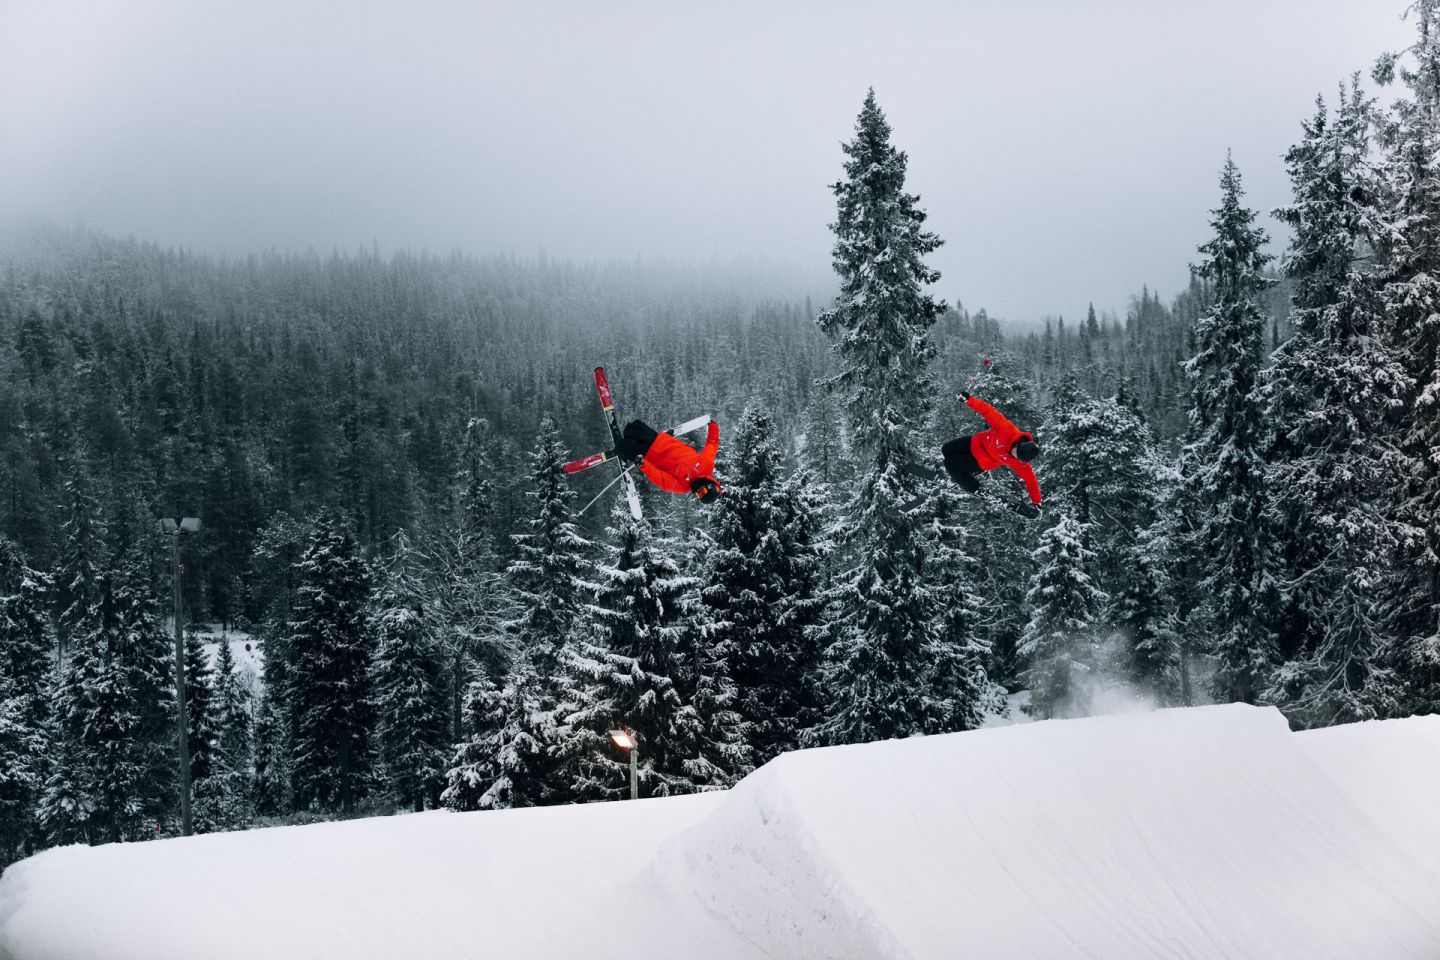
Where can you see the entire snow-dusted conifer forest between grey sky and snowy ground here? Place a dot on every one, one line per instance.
(1243, 503)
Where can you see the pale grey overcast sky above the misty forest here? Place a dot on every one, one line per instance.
(1068, 152)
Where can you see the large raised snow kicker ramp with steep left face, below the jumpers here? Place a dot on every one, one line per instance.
(1203, 833)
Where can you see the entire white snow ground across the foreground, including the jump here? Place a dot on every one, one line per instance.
(1207, 833)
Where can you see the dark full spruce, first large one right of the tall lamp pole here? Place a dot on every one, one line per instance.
(330, 686)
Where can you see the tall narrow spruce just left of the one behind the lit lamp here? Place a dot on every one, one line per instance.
(516, 762)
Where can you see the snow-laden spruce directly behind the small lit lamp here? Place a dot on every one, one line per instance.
(629, 658)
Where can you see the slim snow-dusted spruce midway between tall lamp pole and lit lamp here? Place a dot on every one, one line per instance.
(410, 684)
